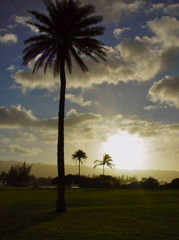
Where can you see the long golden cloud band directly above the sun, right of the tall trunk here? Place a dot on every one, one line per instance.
(98, 128)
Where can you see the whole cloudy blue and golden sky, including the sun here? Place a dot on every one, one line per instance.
(127, 106)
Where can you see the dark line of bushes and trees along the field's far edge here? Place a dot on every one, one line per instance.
(20, 175)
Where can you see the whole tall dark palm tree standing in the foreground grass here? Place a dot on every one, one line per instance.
(67, 32)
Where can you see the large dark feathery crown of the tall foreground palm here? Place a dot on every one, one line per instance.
(66, 33)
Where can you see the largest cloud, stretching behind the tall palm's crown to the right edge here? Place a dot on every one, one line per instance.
(127, 61)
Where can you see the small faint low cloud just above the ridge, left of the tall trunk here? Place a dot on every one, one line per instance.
(24, 151)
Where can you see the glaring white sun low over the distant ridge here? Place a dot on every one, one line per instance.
(127, 151)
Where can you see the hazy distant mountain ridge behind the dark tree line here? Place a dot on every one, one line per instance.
(49, 170)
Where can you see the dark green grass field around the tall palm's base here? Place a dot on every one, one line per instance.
(102, 214)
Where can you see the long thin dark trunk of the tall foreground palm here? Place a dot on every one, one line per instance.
(61, 205)
